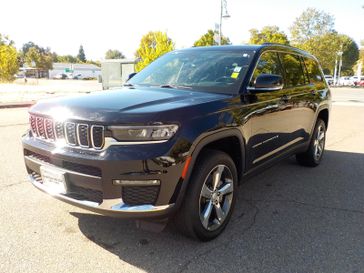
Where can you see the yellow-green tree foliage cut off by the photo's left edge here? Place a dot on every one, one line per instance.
(9, 64)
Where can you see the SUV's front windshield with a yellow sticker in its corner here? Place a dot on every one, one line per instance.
(219, 71)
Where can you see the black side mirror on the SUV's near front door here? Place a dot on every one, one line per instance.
(267, 83)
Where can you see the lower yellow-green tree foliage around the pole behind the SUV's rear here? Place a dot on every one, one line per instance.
(325, 48)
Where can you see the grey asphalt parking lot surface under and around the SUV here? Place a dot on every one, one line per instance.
(287, 219)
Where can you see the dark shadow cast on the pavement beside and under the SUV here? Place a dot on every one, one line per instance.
(287, 219)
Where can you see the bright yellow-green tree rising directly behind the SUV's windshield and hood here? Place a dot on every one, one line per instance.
(152, 46)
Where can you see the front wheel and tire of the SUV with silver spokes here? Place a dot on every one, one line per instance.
(210, 198)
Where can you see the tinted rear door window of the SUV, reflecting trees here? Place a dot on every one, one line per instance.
(293, 68)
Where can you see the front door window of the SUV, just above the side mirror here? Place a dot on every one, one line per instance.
(268, 64)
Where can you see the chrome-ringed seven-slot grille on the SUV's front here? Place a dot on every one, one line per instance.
(75, 134)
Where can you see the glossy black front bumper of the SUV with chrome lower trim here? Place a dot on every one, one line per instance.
(107, 198)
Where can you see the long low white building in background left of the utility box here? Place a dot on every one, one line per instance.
(76, 71)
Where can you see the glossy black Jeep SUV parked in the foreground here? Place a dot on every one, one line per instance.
(181, 135)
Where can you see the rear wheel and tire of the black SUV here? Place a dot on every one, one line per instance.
(312, 157)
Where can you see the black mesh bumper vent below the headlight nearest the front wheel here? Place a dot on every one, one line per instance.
(140, 195)
